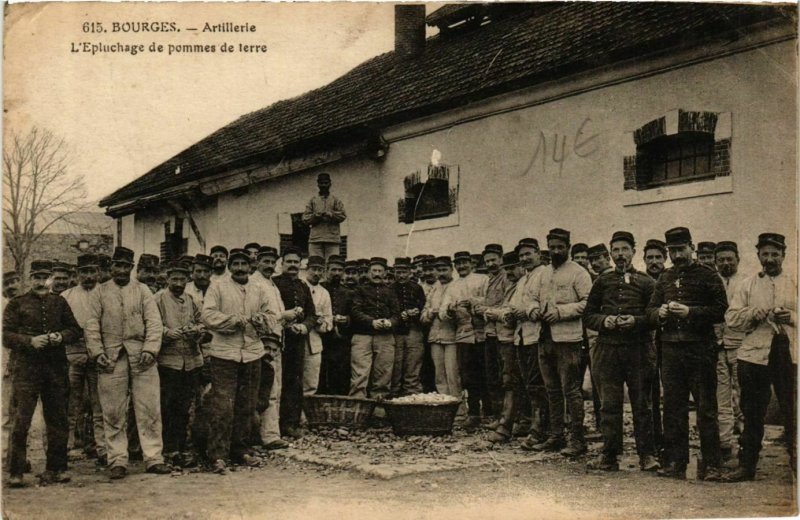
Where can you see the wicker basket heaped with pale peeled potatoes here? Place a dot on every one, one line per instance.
(421, 418)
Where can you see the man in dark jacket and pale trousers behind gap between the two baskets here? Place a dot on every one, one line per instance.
(375, 316)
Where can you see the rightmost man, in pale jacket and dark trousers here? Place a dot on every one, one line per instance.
(765, 306)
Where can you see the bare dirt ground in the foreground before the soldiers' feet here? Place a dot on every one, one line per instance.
(287, 488)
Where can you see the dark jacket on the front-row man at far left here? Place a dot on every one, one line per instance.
(30, 315)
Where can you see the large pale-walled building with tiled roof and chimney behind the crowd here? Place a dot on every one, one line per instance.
(512, 119)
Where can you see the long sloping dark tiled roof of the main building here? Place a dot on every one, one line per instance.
(501, 56)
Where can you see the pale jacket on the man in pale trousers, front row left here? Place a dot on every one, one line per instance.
(123, 317)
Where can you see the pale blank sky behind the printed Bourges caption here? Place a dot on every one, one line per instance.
(122, 115)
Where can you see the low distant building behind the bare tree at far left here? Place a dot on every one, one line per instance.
(69, 236)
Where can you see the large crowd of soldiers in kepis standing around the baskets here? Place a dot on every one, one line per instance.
(214, 354)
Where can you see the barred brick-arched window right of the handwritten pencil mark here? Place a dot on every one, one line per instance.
(673, 159)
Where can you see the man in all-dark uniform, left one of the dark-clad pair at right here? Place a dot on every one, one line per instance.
(623, 354)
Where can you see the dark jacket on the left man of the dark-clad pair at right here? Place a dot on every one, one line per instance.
(616, 293)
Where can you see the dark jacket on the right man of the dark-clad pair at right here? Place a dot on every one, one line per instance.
(696, 286)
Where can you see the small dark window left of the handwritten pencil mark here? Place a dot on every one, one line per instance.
(431, 199)
